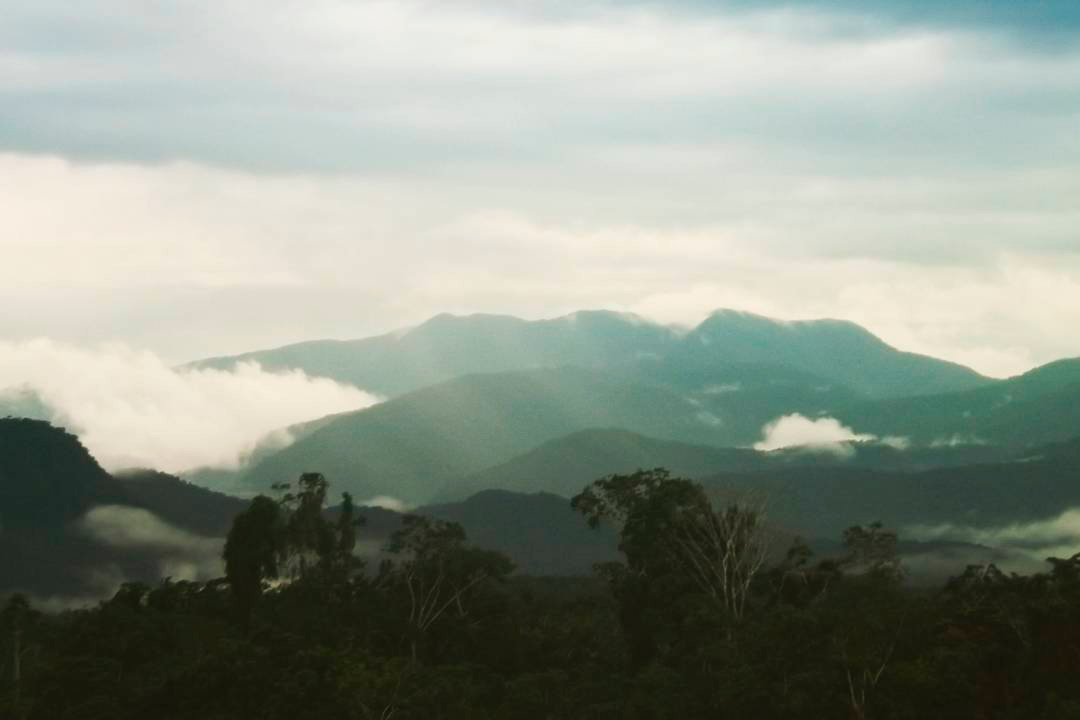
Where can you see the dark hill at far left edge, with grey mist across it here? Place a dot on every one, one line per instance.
(70, 528)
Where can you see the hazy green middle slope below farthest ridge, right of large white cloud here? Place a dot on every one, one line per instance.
(411, 446)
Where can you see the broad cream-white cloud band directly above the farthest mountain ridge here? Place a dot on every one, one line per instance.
(195, 262)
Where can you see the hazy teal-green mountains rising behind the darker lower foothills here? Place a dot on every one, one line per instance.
(717, 387)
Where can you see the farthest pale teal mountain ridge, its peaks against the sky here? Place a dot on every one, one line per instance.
(448, 347)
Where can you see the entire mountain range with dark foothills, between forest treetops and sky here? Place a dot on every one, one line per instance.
(496, 422)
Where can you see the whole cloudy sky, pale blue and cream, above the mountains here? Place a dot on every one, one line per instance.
(210, 178)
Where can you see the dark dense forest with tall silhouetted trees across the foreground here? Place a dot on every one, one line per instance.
(709, 614)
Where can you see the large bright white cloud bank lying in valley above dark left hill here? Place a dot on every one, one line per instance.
(131, 410)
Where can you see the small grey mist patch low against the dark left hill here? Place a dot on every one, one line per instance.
(181, 555)
